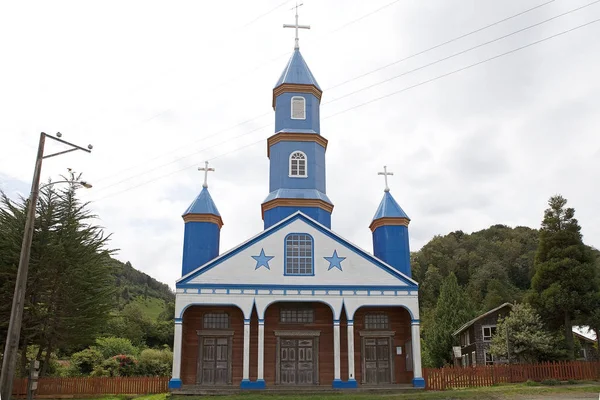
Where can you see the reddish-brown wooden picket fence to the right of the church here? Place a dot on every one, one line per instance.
(457, 377)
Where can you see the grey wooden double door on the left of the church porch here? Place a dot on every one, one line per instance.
(215, 361)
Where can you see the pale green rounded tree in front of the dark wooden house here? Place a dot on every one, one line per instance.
(528, 341)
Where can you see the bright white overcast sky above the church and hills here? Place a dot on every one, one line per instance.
(159, 87)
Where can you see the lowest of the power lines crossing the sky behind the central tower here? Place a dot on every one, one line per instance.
(380, 98)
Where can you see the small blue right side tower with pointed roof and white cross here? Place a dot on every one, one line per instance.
(390, 232)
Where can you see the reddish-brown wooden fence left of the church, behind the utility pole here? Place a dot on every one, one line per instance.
(48, 387)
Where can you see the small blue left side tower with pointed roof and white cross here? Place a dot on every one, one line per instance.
(202, 229)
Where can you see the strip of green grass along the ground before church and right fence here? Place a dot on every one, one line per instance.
(485, 393)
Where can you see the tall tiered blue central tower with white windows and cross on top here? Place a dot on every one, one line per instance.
(297, 150)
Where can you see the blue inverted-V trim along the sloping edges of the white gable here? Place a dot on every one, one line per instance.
(268, 232)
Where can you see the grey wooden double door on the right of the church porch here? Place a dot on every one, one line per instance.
(376, 361)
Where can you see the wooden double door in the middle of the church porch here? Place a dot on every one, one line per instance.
(296, 362)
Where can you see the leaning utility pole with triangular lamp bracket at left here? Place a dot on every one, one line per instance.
(9, 361)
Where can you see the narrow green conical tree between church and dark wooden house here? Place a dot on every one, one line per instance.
(452, 311)
